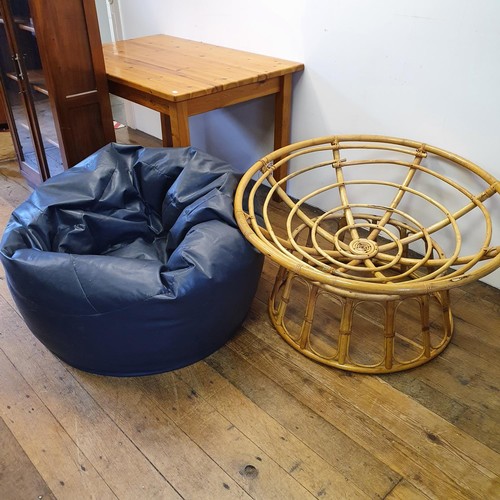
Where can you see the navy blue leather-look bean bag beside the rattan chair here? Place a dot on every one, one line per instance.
(131, 263)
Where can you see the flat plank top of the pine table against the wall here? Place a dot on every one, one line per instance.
(177, 69)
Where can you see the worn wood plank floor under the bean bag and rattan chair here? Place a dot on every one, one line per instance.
(256, 419)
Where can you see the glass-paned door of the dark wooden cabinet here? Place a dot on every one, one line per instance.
(22, 78)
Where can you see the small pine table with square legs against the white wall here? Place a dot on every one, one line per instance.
(180, 78)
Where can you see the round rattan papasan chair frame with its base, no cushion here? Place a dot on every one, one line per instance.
(394, 234)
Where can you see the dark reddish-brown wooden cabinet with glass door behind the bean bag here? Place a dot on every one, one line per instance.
(54, 83)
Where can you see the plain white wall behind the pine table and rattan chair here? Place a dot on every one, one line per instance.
(427, 70)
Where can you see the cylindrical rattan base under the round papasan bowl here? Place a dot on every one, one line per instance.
(389, 342)
